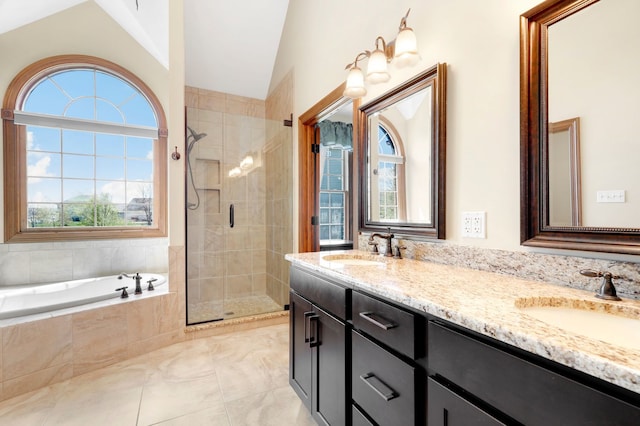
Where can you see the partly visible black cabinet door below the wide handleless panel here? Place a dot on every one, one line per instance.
(449, 409)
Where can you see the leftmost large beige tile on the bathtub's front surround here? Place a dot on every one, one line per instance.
(34, 346)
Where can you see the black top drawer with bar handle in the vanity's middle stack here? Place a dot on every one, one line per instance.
(393, 326)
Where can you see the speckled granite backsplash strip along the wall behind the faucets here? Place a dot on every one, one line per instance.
(547, 268)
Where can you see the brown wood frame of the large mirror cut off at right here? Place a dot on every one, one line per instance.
(534, 221)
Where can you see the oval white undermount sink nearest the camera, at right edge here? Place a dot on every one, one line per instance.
(614, 323)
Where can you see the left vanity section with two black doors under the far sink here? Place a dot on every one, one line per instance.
(319, 346)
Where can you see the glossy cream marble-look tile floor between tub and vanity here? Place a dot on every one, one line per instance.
(232, 379)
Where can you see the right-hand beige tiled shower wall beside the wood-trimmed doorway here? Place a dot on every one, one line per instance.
(279, 169)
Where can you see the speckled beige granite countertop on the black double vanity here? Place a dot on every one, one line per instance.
(491, 304)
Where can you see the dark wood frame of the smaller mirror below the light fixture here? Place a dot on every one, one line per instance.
(435, 76)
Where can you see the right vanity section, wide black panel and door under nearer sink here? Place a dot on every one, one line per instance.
(493, 381)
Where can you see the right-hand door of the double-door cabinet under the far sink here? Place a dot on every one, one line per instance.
(329, 373)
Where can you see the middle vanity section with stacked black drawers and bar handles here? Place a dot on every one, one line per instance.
(387, 381)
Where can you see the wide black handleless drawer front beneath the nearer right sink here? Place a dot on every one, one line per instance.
(527, 392)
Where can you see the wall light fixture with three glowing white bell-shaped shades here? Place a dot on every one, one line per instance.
(403, 51)
